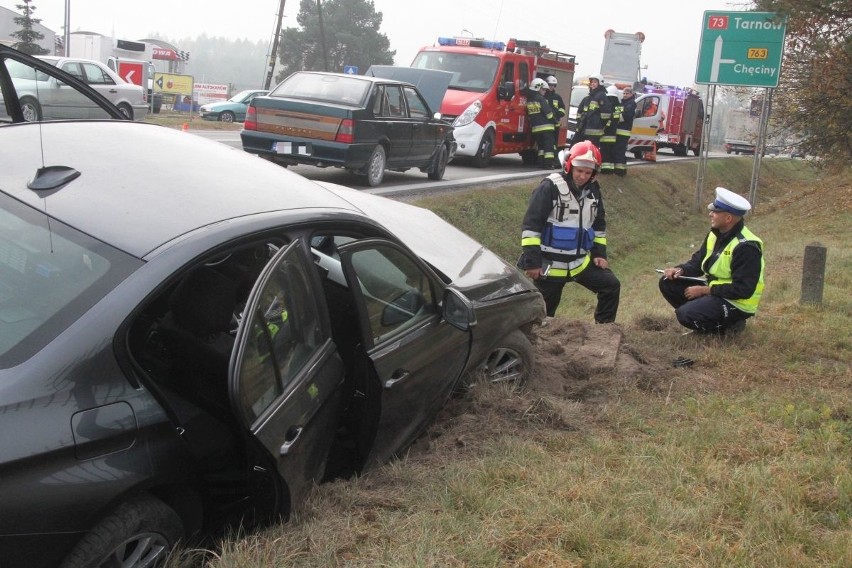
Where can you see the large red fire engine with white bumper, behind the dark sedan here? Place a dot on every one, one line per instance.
(487, 95)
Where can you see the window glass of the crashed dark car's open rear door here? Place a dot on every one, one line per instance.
(283, 331)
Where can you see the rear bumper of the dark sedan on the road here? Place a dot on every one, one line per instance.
(293, 150)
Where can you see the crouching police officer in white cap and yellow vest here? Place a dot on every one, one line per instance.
(732, 263)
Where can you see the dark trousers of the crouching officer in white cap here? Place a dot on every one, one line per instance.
(707, 314)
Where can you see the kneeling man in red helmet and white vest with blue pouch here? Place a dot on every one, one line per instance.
(564, 234)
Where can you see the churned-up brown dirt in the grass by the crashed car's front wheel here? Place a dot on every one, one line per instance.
(579, 367)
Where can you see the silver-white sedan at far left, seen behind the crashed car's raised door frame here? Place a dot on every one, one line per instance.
(46, 97)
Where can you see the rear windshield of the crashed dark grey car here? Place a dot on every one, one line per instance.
(49, 275)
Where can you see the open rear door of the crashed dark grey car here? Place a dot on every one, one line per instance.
(286, 376)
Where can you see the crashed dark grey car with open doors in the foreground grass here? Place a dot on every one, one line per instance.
(189, 348)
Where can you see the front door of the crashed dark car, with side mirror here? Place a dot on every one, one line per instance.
(415, 353)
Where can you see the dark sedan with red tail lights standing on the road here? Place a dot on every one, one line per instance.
(363, 124)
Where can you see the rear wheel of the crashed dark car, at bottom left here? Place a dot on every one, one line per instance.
(139, 533)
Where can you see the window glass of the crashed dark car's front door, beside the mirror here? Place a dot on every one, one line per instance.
(397, 293)
